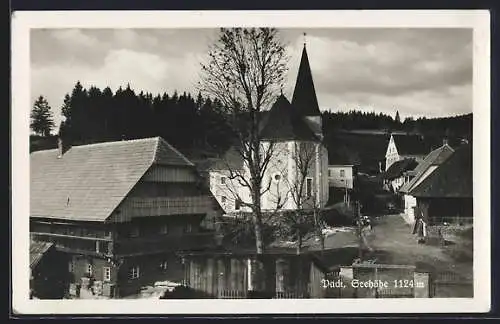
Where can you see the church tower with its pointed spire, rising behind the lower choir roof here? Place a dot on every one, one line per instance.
(304, 96)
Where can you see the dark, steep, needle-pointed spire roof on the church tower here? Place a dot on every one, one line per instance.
(304, 95)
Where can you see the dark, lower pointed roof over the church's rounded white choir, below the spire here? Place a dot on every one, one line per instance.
(285, 123)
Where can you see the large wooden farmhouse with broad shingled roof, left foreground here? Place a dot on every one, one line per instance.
(119, 211)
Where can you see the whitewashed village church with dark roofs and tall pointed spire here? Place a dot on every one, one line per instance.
(297, 172)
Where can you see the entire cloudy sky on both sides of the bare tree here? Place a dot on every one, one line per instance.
(419, 72)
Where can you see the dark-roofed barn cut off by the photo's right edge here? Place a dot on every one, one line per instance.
(445, 196)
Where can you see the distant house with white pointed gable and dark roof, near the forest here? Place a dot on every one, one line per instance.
(407, 147)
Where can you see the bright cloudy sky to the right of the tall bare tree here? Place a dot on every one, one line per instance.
(384, 70)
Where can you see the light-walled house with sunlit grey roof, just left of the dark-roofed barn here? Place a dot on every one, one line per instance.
(421, 172)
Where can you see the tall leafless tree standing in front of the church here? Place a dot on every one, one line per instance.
(245, 70)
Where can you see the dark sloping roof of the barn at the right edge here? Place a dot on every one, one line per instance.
(452, 179)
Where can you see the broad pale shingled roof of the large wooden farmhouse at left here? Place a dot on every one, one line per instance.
(88, 182)
